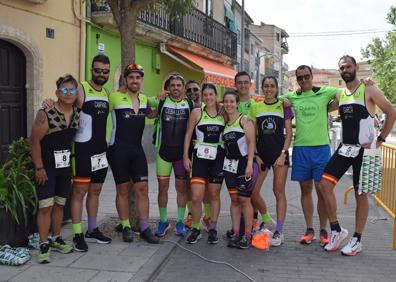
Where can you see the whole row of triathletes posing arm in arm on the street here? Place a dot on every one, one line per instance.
(205, 141)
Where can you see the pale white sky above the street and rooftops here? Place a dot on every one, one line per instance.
(323, 16)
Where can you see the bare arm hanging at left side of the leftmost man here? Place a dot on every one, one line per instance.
(39, 130)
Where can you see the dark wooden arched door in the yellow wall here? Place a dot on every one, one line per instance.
(12, 96)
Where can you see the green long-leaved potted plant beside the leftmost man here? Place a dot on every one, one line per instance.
(17, 190)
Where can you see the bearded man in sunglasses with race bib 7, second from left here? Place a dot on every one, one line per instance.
(89, 153)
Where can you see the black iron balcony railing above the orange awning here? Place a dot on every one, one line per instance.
(195, 26)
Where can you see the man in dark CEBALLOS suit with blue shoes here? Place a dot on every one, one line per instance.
(173, 113)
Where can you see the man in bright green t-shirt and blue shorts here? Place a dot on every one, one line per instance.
(311, 150)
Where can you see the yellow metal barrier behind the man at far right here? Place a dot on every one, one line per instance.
(387, 197)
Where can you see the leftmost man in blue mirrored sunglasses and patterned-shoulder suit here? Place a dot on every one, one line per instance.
(50, 143)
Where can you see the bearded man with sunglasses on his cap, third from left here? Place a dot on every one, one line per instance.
(126, 155)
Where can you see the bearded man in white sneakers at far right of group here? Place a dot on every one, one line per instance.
(357, 105)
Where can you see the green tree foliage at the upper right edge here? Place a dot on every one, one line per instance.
(382, 59)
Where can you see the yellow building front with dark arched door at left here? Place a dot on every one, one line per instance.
(40, 40)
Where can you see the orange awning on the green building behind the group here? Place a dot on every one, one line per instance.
(213, 72)
